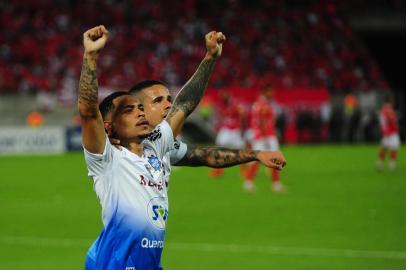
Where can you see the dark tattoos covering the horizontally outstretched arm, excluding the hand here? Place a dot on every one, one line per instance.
(216, 157)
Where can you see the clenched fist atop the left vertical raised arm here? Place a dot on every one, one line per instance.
(94, 39)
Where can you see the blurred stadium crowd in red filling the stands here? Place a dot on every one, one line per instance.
(283, 43)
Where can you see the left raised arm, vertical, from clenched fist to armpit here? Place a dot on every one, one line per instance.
(93, 133)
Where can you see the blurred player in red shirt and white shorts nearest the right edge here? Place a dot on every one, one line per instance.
(390, 141)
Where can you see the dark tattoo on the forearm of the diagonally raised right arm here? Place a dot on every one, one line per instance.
(192, 92)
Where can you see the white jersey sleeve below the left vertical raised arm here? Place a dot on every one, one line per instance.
(97, 163)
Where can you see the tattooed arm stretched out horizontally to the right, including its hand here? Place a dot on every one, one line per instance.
(219, 157)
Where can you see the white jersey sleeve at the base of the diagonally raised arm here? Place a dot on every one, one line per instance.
(162, 138)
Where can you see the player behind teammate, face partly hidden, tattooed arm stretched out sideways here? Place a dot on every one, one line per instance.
(157, 102)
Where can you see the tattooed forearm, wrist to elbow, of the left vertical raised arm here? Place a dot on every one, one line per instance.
(88, 87)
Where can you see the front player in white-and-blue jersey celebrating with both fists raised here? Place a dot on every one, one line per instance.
(130, 181)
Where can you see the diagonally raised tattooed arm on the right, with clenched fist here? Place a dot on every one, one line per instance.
(192, 92)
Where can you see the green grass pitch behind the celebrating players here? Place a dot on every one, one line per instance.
(338, 213)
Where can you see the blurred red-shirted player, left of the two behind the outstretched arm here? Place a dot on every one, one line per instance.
(230, 126)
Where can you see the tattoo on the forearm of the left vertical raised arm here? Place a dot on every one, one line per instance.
(88, 85)
